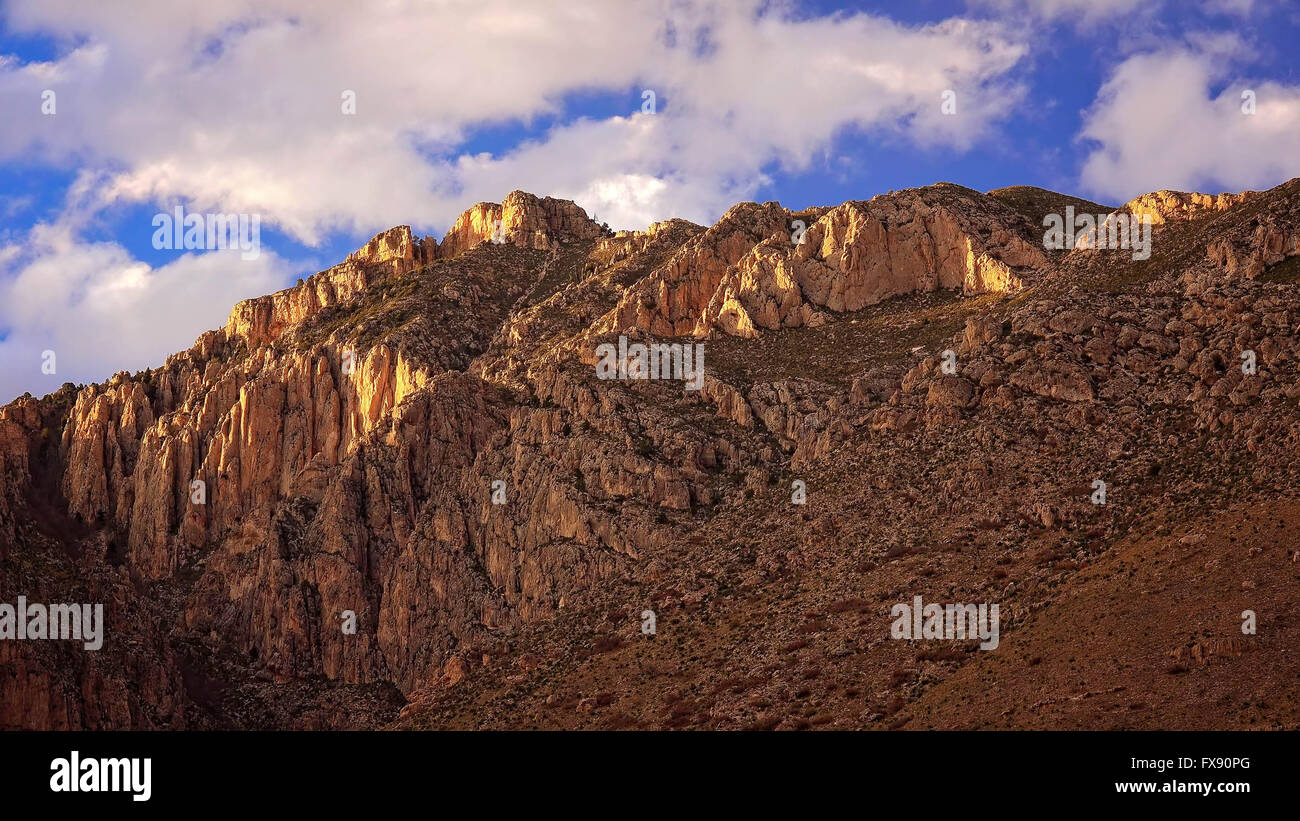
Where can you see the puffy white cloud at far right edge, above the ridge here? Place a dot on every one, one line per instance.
(1175, 120)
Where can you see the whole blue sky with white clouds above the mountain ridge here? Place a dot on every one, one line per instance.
(328, 121)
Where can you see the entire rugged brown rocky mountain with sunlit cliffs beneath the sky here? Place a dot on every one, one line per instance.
(422, 438)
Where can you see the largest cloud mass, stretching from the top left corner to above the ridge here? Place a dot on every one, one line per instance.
(240, 107)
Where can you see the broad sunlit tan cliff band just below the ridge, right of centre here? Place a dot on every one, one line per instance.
(752, 272)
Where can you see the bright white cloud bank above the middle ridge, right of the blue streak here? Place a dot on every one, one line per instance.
(770, 95)
